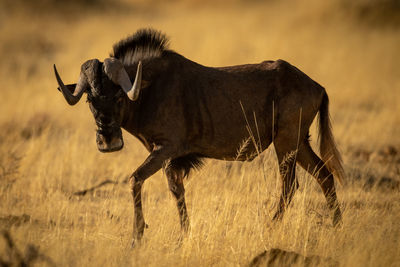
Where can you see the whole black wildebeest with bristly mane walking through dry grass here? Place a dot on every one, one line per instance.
(182, 112)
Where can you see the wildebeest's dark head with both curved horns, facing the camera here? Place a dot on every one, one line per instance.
(103, 83)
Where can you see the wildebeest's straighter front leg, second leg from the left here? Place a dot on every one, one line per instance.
(175, 183)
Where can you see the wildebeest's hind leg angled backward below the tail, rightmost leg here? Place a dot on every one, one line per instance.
(316, 167)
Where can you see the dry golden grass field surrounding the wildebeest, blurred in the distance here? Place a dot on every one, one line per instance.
(48, 150)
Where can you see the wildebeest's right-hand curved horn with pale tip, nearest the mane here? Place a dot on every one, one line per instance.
(117, 73)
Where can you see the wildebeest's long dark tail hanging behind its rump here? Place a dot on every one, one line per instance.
(328, 149)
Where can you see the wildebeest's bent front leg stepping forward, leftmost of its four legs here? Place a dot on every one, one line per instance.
(152, 164)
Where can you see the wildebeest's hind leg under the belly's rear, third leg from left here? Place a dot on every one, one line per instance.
(287, 167)
